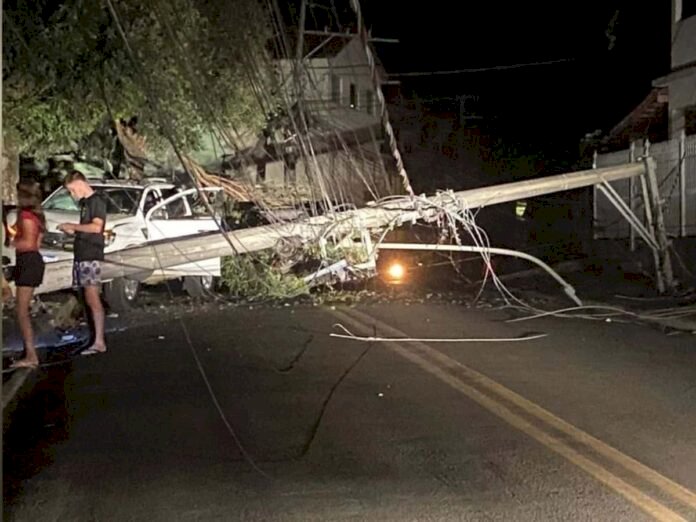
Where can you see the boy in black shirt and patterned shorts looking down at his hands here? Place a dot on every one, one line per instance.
(88, 250)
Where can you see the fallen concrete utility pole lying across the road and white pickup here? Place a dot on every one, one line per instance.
(138, 262)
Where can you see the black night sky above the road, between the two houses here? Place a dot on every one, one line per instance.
(606, 76)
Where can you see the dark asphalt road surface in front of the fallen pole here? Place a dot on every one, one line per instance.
(595, 421)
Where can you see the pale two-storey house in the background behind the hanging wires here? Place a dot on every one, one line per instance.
(335, 89)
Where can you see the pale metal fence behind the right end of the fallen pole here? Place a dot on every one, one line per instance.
(676, 174)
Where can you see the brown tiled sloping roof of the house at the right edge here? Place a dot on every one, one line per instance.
(648, 119)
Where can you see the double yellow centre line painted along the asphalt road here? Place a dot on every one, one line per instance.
(498, 400)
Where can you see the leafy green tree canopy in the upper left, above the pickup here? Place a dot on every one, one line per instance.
(67, 71)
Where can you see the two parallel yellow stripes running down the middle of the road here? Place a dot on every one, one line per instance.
(640, 499)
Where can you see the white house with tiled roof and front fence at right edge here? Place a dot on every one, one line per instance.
(663, 125)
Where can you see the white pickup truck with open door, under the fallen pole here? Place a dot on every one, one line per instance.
(136, 214)
